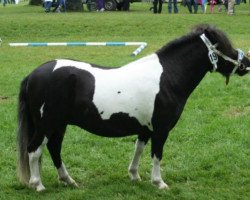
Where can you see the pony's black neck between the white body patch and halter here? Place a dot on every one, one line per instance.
(185, 65)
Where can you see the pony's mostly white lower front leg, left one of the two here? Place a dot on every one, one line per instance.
(133, 167)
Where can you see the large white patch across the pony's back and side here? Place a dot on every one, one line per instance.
(130, 89)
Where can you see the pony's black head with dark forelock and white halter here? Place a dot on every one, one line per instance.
(223, 57)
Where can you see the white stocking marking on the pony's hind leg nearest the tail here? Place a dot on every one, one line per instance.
(35, 179)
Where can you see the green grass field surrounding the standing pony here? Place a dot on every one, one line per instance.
(207, 155)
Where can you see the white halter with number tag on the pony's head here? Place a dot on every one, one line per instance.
(213, 54)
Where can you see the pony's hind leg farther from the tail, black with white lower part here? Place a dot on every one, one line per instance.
(54, 146)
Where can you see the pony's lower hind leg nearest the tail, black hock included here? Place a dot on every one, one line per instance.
(34, 152)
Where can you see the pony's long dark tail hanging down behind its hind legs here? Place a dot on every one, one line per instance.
(24, 134)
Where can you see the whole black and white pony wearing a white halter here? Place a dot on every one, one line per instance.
(145, 98)
